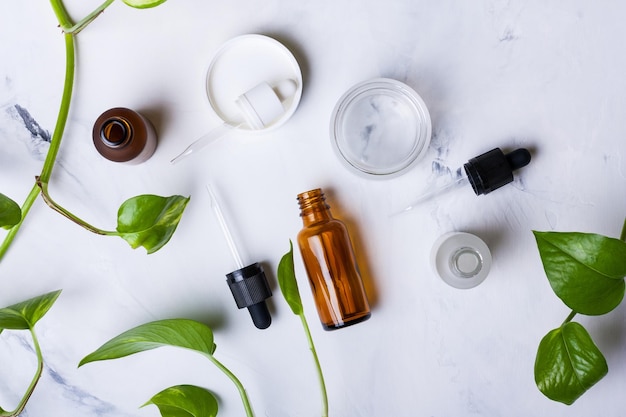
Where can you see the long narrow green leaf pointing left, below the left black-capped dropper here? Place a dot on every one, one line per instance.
(183, 333)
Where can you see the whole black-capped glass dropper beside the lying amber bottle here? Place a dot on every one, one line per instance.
(248, 284)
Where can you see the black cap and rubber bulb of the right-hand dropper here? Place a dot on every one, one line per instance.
(493, 169)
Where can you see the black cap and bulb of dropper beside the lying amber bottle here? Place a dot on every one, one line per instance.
(250, 289)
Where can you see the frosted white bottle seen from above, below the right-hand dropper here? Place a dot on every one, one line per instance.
(461, 259)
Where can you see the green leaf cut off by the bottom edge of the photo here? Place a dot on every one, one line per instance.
(185, 401)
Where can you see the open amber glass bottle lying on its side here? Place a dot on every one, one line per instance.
(330, 264)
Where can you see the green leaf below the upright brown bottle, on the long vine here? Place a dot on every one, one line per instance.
(150, 220)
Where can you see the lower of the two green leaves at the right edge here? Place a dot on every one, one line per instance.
(568, 363)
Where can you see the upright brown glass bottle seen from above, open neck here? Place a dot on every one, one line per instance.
(123, 135)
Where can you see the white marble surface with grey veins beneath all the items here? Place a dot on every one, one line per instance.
(549, 76)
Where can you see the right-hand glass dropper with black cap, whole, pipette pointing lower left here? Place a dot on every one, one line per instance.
(485, 173)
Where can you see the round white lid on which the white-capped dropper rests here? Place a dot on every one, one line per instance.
(243, 63)
